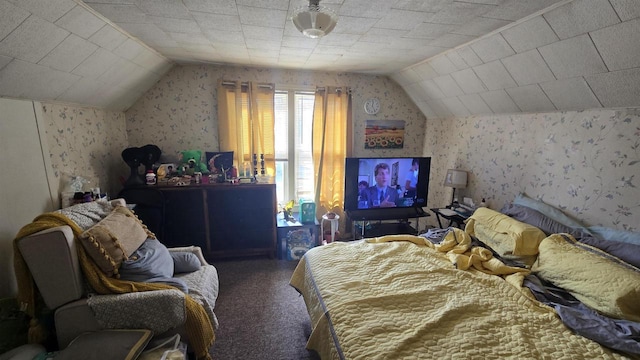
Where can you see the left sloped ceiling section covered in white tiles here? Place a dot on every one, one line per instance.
(63, 50)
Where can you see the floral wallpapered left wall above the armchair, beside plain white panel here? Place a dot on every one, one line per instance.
(86, 142)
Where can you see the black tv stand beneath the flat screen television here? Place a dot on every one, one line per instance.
(402, 226)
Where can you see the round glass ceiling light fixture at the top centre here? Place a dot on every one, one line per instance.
(314, 21)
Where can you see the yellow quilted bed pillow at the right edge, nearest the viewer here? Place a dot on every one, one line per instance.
(599, 280)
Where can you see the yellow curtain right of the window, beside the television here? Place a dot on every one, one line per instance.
(332, 143)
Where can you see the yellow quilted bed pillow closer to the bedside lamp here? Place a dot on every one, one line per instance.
(504, 234)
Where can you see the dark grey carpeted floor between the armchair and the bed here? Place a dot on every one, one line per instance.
(261, 316)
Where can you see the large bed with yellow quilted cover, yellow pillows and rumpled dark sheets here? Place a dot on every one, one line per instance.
(409, 297)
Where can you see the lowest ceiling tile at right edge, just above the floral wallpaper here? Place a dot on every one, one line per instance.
(616, 88)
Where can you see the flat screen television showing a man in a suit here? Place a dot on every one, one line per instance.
(375, 184)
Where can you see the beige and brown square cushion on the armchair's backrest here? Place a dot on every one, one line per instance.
(113, 239)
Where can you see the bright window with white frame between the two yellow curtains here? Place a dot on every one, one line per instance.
(293, 136)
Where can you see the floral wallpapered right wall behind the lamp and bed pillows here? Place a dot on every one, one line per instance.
(586, 163)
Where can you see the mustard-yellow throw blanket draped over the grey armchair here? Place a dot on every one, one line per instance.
(198, 325)
